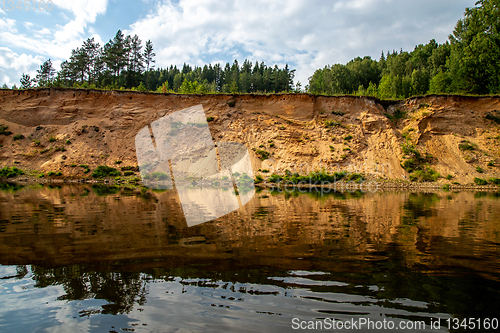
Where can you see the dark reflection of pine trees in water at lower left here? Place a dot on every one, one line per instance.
(121, 289)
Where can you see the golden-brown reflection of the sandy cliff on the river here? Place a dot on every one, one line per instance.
(84, 225)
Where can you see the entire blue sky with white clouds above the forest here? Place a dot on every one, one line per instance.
(306, 34)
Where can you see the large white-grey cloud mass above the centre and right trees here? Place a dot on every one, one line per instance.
(307, 34)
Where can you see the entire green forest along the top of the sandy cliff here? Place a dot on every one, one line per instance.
(468, 63)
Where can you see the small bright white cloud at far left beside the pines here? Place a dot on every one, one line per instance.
(13, 65)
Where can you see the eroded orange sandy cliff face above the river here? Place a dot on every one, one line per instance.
(301, 133)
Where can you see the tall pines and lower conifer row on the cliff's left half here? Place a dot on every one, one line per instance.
(122, 63)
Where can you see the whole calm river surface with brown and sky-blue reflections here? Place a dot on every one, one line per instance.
(109, 259)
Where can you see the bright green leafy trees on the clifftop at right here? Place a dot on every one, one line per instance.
(468, 63)
